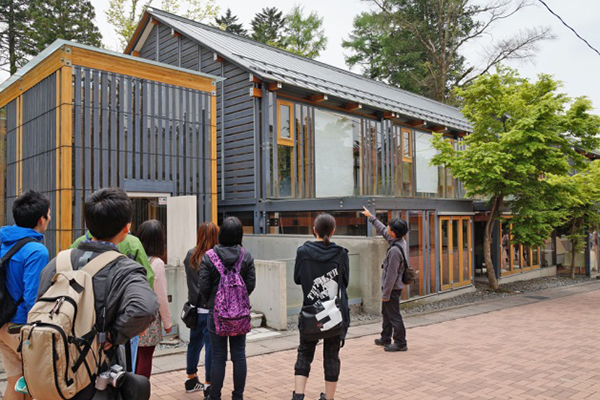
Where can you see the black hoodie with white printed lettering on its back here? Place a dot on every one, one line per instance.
(318, 264)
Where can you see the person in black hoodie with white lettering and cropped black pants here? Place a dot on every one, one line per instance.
(321, 267)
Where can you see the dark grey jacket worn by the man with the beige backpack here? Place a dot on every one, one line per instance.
(131, 305)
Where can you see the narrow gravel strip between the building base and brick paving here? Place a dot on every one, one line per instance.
(482, 293)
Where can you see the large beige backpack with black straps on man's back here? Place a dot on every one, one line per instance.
(59, 345)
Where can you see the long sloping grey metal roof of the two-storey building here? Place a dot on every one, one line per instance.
(278, 65)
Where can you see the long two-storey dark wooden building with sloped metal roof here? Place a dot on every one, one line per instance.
(297, 137)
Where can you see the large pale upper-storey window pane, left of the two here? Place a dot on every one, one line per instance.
(335, 139)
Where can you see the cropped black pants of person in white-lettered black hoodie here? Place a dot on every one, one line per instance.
(331, 357)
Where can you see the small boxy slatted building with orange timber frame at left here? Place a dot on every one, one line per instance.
(79, 118)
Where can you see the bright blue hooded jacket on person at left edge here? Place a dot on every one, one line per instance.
(25, 267)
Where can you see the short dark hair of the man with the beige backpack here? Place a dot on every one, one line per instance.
(107, 211)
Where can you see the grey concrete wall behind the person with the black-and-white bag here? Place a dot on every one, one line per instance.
(370, 253)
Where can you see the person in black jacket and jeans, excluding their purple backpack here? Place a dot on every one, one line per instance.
(229, 251)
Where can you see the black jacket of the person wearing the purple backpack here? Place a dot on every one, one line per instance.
(209, 277)
